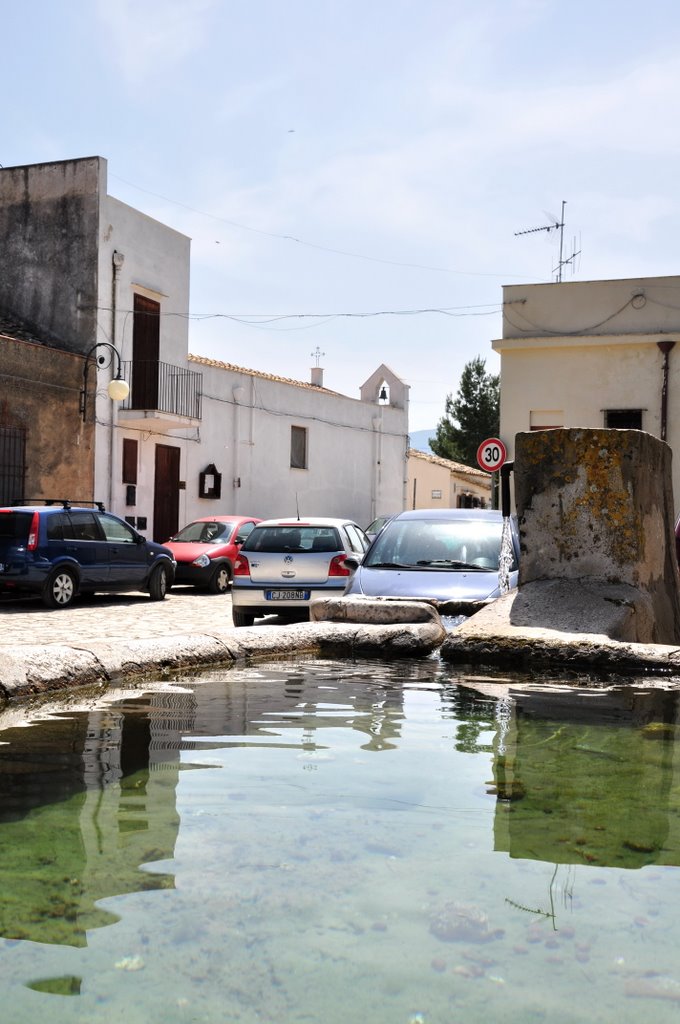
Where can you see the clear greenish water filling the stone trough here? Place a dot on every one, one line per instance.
(309, 842)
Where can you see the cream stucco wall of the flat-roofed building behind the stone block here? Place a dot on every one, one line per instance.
(572, 352)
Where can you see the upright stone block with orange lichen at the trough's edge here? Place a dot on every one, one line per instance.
(599, 505)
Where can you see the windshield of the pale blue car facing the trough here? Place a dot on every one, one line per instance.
(438, 544)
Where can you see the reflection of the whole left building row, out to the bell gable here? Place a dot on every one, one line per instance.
(90, 797)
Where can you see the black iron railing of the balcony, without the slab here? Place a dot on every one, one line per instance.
(163, 388)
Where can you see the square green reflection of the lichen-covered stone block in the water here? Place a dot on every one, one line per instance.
(588, 777)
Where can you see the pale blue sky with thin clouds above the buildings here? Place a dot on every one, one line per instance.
(354, 175)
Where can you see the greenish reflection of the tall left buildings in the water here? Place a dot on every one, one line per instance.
(86, 800)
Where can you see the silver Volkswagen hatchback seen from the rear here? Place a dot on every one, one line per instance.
(285, 564)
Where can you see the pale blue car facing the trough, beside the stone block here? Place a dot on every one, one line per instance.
(449, 557)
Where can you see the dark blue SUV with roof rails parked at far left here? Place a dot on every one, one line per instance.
(59, 550)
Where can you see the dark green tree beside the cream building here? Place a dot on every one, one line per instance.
(472, 417)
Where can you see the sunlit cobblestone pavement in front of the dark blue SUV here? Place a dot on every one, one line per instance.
(114, 617)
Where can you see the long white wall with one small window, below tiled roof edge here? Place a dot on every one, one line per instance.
(356, 450)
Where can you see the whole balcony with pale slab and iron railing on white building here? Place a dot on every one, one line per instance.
(161, 395)
